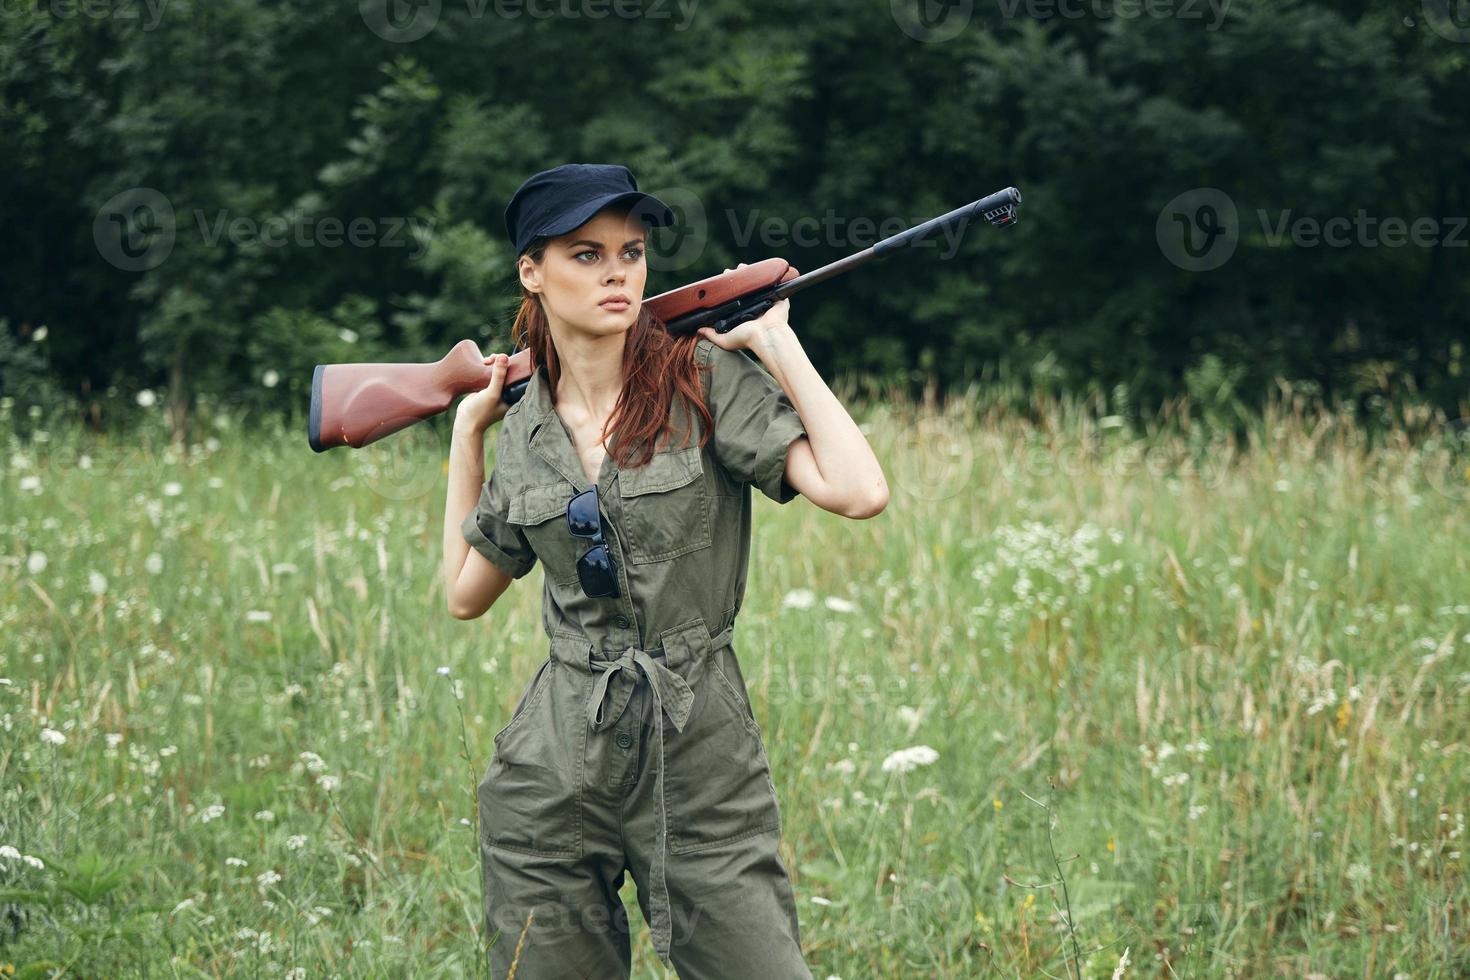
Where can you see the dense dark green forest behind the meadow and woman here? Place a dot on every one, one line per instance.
(205, 199)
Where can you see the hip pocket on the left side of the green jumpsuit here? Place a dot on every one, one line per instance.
(531, 797)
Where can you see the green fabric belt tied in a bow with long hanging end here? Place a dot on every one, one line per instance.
(673, 696)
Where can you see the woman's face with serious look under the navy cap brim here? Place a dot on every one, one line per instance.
(584, 270)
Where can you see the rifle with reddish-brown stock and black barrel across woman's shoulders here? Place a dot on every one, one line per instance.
(356, 405)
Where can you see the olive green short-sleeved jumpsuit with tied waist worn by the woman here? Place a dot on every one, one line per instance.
(634, 747)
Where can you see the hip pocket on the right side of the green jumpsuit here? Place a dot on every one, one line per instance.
(720, 779)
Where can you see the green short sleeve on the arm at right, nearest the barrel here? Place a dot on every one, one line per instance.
(755, 422)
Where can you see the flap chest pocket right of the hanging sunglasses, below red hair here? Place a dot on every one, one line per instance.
(667, 506)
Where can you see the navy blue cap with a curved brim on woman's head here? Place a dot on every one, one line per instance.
(564, 199)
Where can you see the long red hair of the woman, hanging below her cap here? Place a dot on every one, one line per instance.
(656, 368)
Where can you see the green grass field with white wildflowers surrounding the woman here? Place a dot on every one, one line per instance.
(1205, 700)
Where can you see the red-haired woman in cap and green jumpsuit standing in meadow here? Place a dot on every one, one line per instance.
(634, 749)
